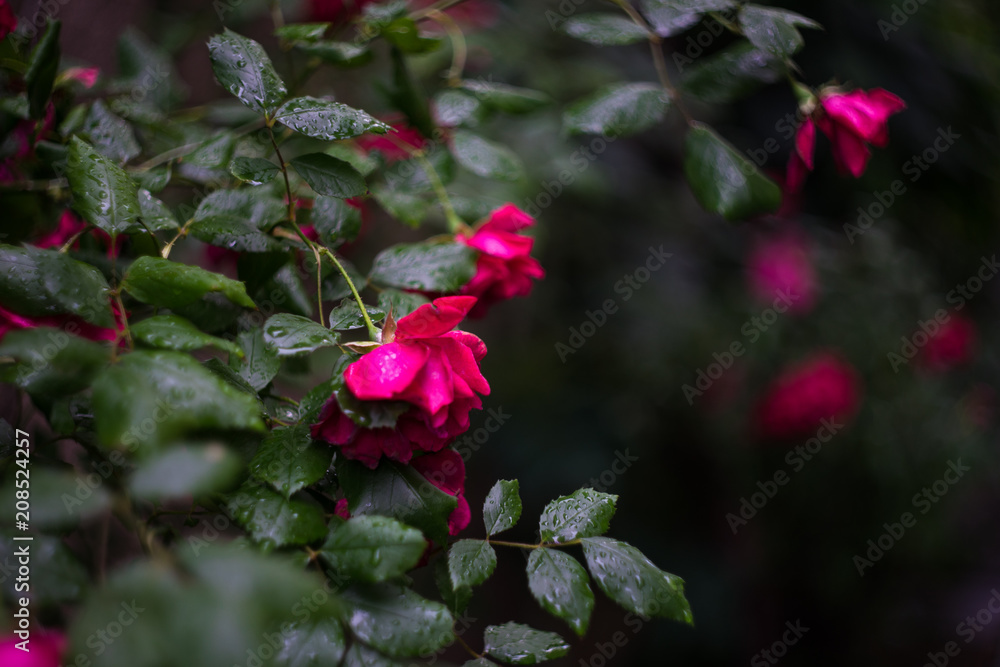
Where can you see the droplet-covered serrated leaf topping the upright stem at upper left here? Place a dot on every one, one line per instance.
(242, 67)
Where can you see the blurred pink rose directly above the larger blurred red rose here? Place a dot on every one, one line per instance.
(779, 267)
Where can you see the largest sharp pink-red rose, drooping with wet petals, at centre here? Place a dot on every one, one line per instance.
(424, 364)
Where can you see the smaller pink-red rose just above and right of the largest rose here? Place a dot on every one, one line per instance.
(505, 268)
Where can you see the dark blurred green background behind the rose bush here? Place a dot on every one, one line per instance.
(620, 395)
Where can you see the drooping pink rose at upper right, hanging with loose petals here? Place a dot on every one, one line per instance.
(851, 121)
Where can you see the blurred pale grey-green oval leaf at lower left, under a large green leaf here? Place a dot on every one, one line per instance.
(186, 471)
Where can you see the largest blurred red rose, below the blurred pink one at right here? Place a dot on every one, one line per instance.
(822, 387)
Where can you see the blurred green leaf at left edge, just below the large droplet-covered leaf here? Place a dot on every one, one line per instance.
(51, 362)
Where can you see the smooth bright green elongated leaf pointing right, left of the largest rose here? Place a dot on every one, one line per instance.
(161, 282)
